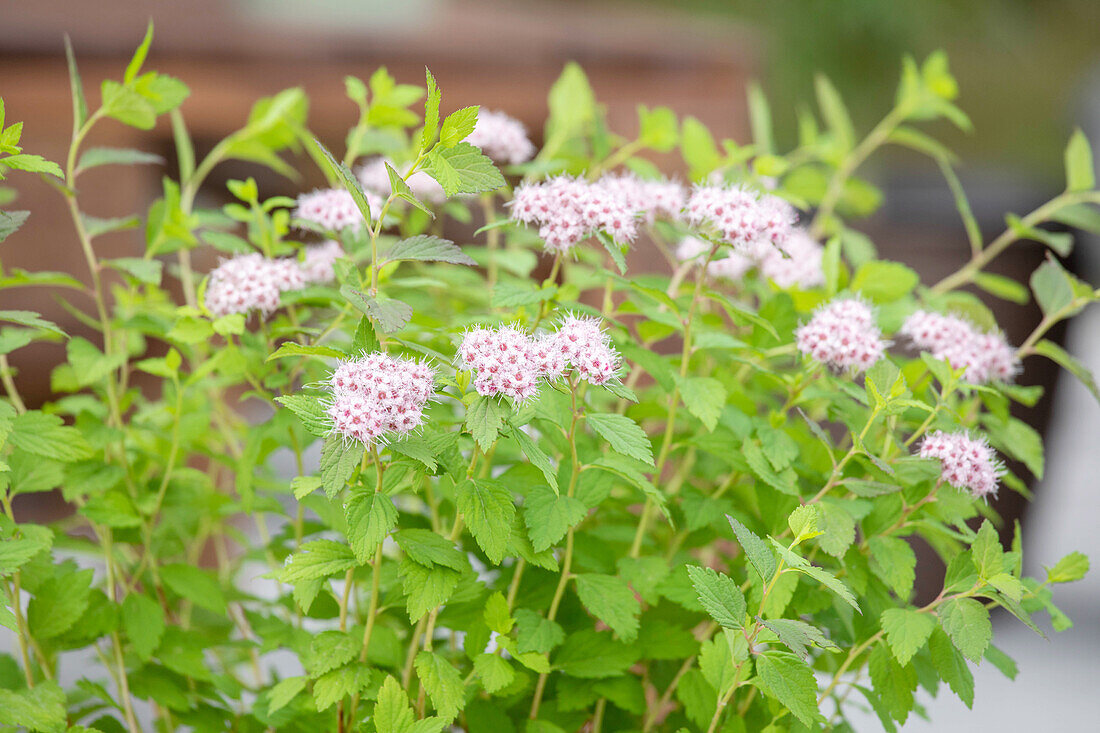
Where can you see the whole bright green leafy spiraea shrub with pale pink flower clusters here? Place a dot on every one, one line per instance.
(384, 483)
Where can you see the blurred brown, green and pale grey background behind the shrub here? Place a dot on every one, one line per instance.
(1029, 73)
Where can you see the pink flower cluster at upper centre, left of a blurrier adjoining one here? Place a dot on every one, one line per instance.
(569, 211)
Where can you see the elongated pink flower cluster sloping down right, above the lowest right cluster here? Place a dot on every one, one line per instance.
(987, 357)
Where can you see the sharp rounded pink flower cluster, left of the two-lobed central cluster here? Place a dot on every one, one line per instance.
(379, 395)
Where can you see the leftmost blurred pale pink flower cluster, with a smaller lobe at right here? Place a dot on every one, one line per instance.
(252, 282)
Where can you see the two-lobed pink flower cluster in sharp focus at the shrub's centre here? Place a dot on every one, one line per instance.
(509, 362)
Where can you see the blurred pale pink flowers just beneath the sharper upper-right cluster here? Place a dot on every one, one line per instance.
(796, 264)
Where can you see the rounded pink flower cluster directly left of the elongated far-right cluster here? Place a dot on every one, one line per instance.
(843, 335)
